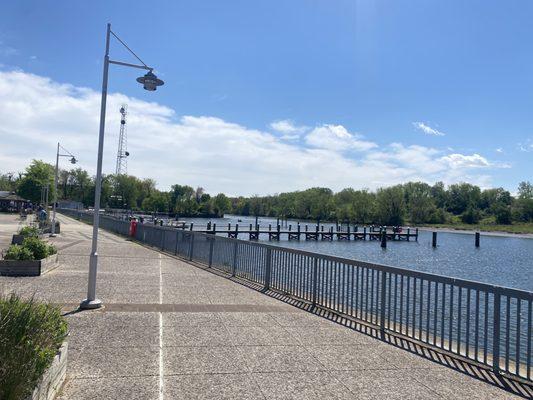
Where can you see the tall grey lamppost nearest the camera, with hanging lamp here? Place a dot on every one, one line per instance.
(150, 82)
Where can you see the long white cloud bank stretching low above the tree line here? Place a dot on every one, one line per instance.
(220, 156)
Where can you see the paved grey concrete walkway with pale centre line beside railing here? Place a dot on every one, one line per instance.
(171, 330)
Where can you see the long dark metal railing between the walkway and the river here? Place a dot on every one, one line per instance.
(485, 323)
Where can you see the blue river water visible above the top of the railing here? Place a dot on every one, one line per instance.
(505, 261)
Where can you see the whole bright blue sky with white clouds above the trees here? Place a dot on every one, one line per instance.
(400, 86)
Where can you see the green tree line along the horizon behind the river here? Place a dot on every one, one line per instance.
(412, 202)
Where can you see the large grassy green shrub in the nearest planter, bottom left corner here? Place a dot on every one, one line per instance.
(30, 335)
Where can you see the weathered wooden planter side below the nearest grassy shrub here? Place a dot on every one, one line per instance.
(50, 383)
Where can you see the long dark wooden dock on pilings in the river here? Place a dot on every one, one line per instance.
(310, 233)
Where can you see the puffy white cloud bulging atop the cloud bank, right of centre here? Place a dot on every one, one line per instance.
(337, 138)
